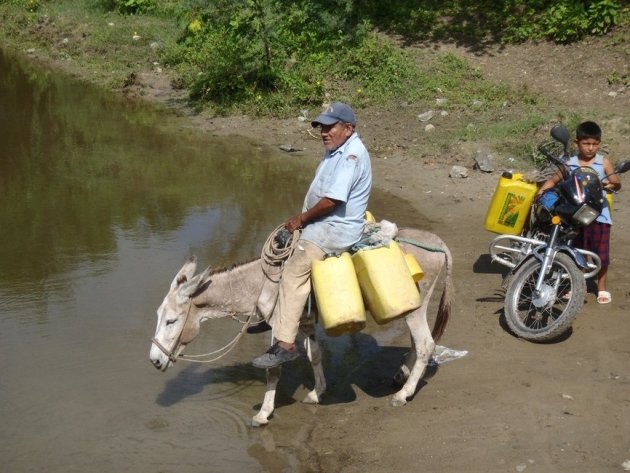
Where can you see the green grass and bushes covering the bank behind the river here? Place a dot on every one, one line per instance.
(272, 58)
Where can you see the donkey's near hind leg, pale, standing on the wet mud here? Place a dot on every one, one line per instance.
(422, 347)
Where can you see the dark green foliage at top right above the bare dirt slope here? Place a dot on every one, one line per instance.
(503, 20)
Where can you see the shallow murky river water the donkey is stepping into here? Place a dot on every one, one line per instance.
(100, 204)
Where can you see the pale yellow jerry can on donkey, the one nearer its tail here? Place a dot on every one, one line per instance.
(386, 282)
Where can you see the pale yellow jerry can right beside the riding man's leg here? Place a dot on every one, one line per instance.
(338, 296)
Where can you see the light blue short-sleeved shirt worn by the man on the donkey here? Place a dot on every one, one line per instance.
(345, 175)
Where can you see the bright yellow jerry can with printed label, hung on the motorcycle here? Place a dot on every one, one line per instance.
(510, 204)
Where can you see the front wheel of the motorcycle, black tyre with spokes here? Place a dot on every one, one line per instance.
(544, 317)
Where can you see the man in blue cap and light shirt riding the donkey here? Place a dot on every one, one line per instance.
(332, 221)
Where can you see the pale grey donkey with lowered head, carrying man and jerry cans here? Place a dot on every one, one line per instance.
(193, 299)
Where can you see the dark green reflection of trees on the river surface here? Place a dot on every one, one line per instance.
(75, 167)
